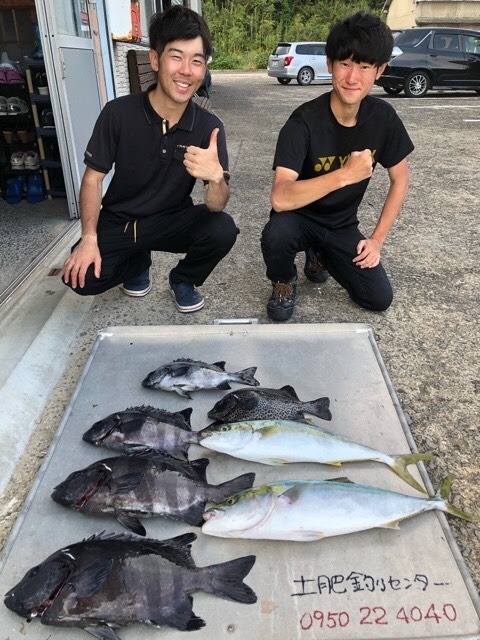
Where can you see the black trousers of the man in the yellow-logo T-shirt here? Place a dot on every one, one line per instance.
(288, 232)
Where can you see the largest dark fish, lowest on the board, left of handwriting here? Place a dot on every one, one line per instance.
(111, 581)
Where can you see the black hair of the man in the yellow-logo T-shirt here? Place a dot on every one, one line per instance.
(363, 37)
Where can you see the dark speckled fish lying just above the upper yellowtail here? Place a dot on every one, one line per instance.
(267, 404)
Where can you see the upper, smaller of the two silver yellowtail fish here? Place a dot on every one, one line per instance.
(278, 442)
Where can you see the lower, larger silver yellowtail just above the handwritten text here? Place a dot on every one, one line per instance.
(311, 510)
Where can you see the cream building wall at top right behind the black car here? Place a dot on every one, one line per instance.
(448, 13)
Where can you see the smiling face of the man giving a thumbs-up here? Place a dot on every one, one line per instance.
(181, 68)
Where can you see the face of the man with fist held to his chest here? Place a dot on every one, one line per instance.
(352, 81)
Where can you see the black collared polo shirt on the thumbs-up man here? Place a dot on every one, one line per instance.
(149, 175)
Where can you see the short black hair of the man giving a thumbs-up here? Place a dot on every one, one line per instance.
(178, 23)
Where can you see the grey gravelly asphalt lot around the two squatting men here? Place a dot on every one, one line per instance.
(428, 338)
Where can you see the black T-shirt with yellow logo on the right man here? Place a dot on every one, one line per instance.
(312, 142)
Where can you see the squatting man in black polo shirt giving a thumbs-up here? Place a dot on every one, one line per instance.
(160, 142)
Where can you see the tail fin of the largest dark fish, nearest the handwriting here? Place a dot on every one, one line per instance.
(226, 580)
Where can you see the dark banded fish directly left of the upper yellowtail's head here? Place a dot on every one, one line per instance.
(144, 428)
